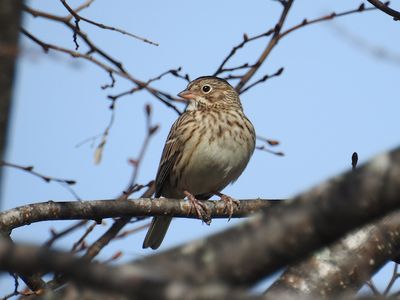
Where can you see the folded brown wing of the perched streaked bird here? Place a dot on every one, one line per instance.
(172, 150)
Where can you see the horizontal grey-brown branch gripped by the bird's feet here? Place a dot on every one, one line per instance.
(100, 209)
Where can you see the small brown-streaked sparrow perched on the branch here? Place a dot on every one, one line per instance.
(207, 148)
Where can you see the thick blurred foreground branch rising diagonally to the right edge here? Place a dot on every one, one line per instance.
(247, 253)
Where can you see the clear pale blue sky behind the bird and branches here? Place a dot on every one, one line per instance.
(336, 96)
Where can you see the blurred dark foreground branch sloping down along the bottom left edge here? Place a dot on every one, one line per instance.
(125, 280)
